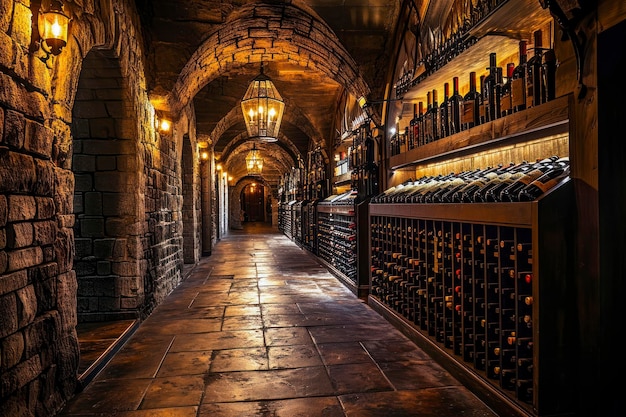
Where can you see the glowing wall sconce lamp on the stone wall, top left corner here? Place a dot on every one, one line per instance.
(52, 27)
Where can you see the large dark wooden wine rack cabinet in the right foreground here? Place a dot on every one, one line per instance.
(473, 283)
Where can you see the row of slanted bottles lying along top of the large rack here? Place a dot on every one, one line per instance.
(513, 183)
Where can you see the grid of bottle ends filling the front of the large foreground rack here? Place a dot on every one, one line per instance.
(468, 287)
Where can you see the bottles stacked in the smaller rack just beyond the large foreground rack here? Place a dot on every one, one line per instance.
(336, 235)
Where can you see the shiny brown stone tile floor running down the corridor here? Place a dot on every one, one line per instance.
(261, 328)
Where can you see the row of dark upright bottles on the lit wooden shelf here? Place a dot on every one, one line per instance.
(501, 92)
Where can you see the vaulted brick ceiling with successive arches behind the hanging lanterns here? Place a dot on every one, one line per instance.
(208, 51)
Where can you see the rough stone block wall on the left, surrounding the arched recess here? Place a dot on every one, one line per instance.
(39, 350)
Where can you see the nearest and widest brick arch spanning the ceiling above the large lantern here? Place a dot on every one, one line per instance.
(265, 32)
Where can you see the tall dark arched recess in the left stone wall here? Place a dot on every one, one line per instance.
(105, 170)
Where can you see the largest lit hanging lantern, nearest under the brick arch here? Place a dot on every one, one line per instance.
(262, 108)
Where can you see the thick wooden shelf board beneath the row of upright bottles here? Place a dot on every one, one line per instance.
(550, 118)
